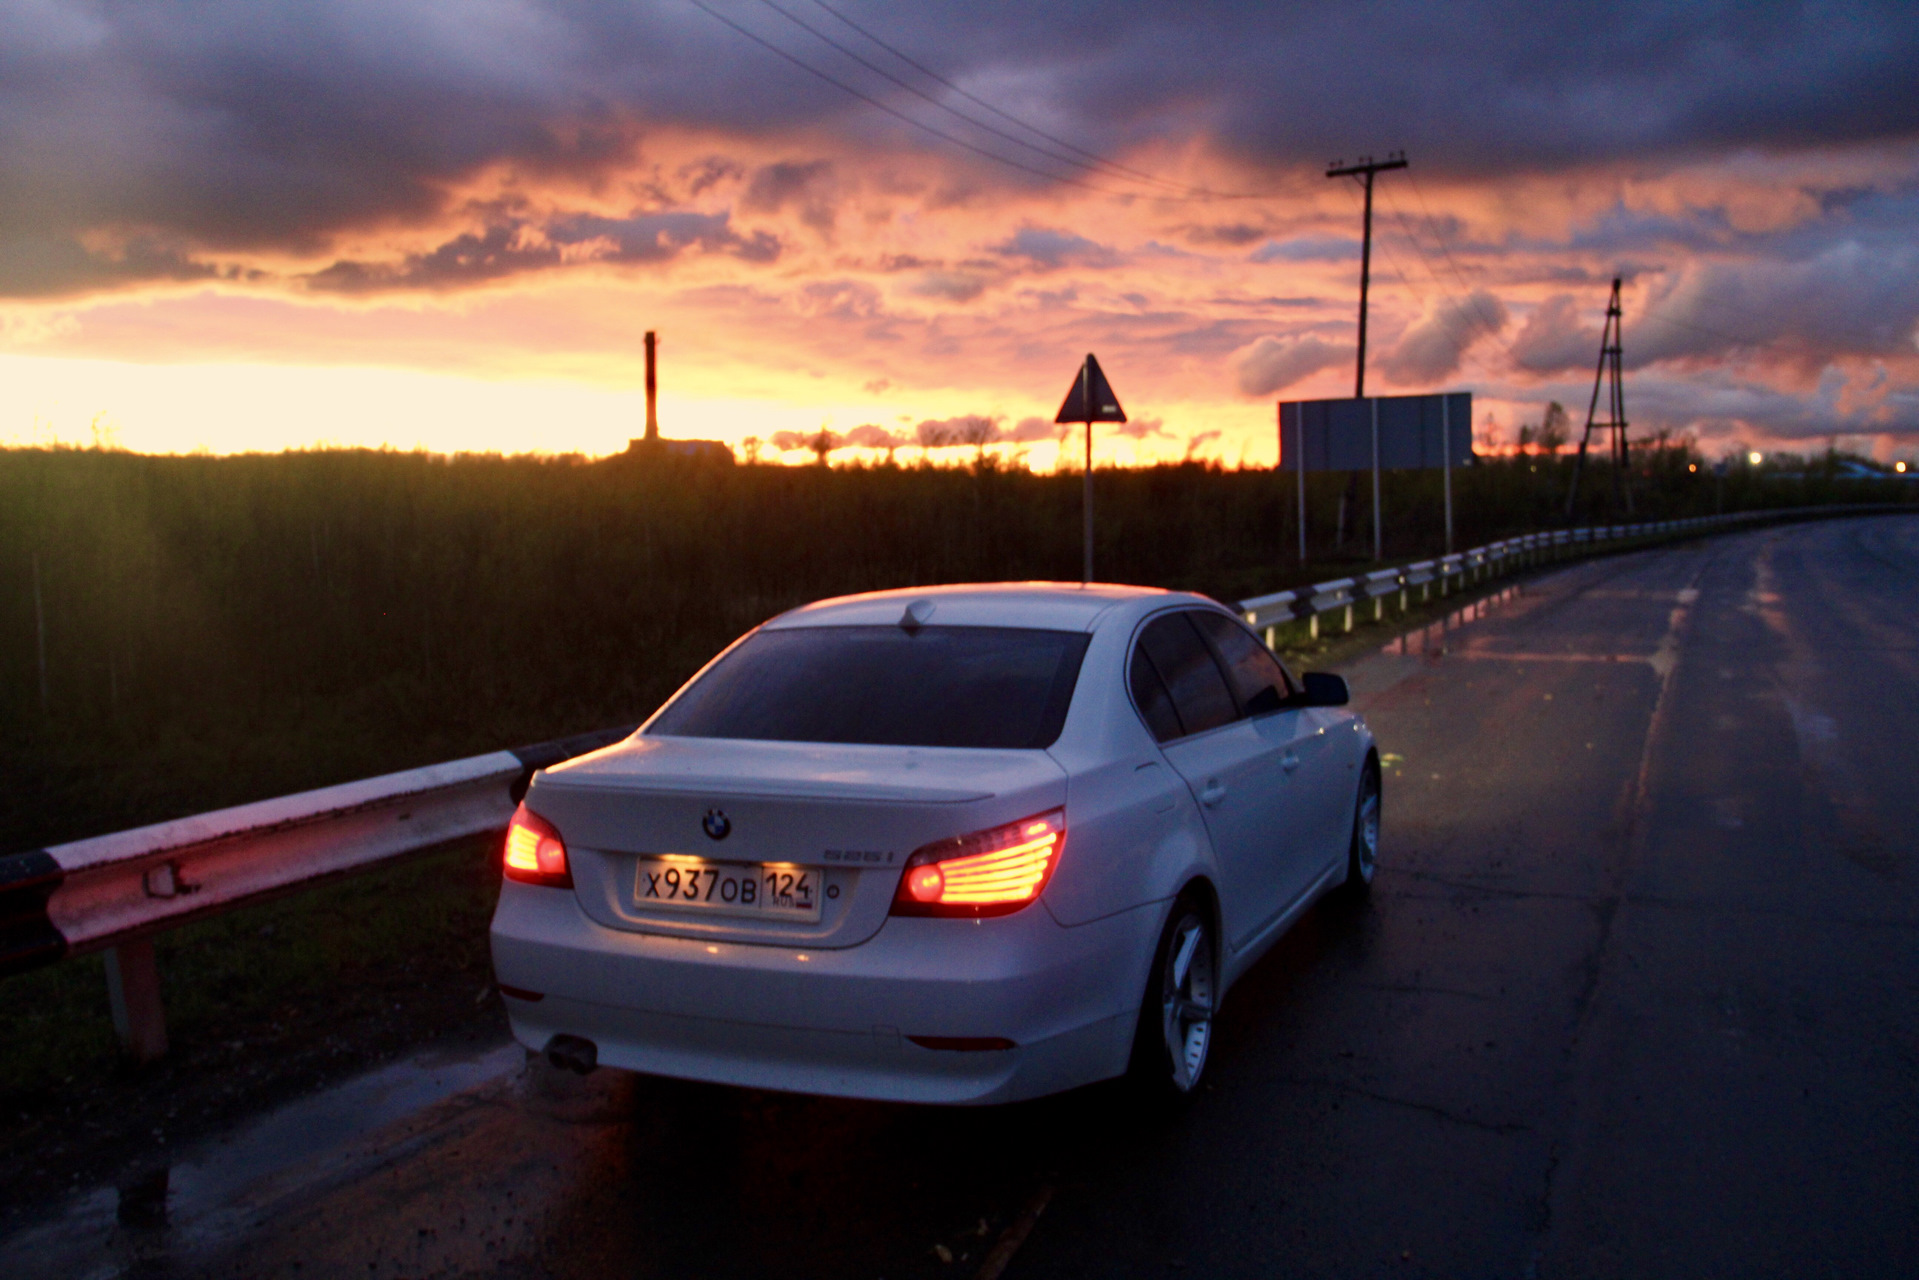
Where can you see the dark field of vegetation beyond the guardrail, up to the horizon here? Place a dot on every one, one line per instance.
(220, 630)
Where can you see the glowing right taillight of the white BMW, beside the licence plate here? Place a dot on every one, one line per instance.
(983, 874)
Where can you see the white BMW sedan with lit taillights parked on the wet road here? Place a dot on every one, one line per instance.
(955, 845)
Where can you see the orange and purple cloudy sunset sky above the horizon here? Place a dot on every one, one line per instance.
(300, 224)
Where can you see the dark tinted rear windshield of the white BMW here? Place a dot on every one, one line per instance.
(886, 686)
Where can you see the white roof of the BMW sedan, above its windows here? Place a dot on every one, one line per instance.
(1049, 605)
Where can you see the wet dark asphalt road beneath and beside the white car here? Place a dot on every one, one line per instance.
(1636, 995)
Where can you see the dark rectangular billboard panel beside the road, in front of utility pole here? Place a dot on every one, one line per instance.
(1415, 431)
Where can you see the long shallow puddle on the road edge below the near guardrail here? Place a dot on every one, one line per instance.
(191, 1204)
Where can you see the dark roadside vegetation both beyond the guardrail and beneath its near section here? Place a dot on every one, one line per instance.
(181, 634)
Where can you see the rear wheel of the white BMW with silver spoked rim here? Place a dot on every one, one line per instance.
(1175, 1031)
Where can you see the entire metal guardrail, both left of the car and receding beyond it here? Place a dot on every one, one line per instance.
(116, 891)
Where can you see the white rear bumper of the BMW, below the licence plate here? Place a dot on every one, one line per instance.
(836, 1022)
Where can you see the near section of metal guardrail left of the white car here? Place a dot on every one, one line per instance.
(116, 891)
